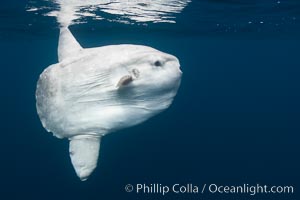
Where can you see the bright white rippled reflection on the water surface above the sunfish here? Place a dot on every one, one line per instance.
(123, 11)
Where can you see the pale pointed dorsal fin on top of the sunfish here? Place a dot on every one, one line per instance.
(67, 45)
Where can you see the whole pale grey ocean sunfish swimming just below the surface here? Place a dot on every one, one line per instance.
(94, 91)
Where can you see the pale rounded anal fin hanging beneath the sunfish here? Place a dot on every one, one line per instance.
(84, 152)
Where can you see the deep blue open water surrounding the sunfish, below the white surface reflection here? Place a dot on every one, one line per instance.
(235, 118)
